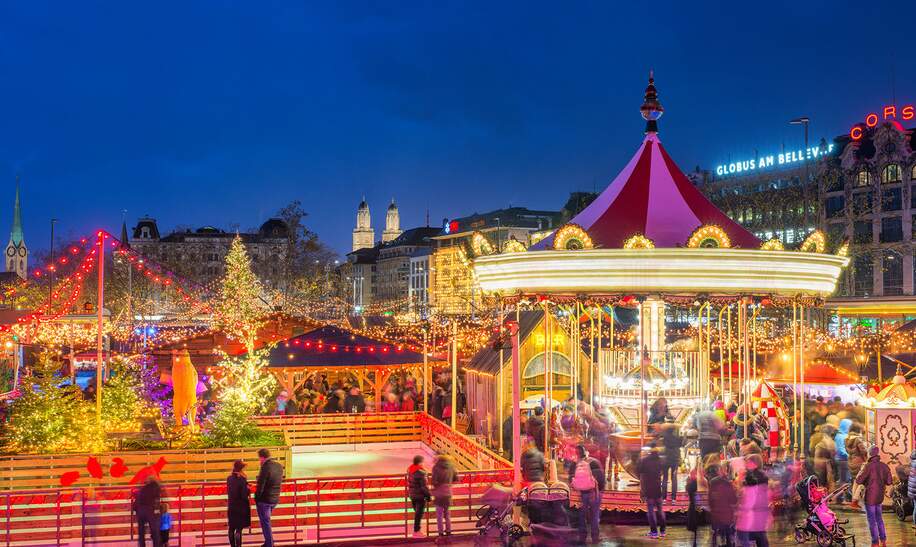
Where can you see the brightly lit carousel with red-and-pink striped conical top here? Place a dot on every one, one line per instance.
(653, 243)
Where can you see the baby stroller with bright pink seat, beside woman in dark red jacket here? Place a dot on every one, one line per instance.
(821, 523)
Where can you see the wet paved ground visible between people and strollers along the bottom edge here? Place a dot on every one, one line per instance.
(899, 534)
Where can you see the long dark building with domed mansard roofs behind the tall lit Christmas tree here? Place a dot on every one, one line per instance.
(200, 255)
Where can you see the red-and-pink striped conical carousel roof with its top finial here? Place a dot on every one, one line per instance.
(652, 197)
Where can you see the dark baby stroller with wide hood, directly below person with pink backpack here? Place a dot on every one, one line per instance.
(548, 512)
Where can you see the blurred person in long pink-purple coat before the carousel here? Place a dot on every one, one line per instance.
(754, 504)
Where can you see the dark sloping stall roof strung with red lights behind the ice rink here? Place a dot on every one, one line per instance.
(334, 347)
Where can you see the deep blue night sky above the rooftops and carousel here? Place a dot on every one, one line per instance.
(222, 112)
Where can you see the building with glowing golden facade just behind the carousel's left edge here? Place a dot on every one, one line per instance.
(452, 288)
